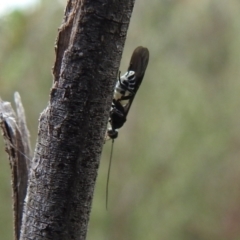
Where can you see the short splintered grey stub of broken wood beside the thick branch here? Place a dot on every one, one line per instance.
(16, 138)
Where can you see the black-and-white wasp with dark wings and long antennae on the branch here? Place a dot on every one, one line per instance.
(124, 93)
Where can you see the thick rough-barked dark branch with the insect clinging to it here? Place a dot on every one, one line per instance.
(72, 127)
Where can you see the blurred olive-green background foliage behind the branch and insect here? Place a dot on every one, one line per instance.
(176, 163)
